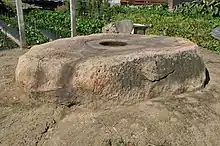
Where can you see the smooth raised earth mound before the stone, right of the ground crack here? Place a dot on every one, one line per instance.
(181, 122)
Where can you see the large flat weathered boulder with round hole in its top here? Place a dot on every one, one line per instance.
(110, 69)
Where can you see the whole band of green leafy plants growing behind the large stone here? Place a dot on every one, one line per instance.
(193, 21)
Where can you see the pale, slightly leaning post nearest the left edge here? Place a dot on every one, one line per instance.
(20, 23)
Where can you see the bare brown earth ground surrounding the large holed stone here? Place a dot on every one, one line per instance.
(184, 120)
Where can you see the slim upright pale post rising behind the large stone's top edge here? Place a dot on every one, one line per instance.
(73, 17)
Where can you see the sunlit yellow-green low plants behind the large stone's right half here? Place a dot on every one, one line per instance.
(193, 27)
